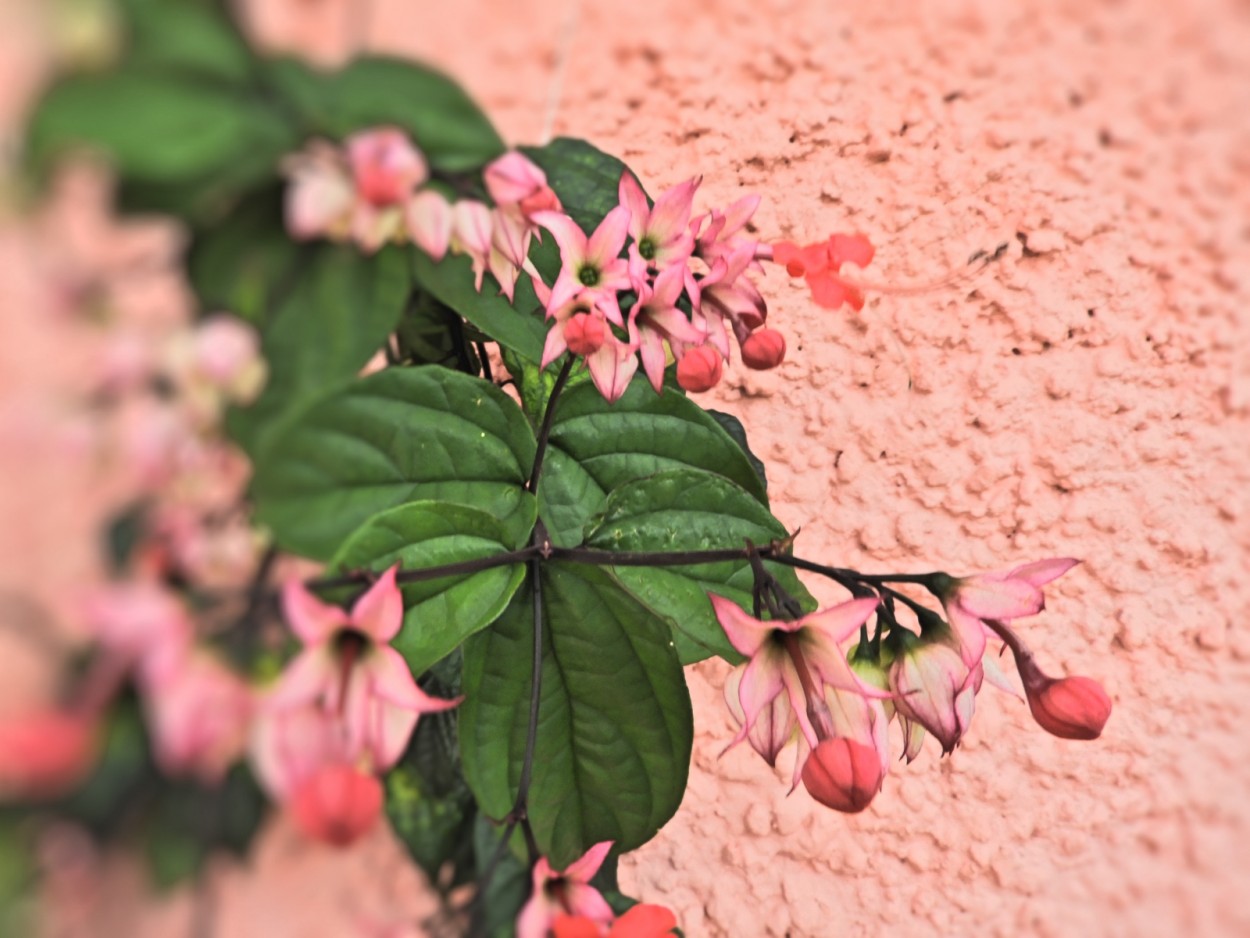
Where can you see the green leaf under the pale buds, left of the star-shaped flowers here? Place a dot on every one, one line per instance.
(451, 281)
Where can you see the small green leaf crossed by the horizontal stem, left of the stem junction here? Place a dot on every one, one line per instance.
(442, 613)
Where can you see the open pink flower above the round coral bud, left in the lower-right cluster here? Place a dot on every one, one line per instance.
(792, 665)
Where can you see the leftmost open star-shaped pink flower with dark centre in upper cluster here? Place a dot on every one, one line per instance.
(592, 270)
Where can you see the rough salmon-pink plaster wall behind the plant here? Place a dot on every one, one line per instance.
(1088, 395)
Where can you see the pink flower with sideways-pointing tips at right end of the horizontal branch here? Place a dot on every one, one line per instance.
(1002, 596)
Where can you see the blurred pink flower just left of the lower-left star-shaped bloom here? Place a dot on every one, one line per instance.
(199, 716)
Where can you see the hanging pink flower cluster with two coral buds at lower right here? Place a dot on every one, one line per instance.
(799, 682)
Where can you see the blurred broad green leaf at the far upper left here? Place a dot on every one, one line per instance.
(157, 127)
